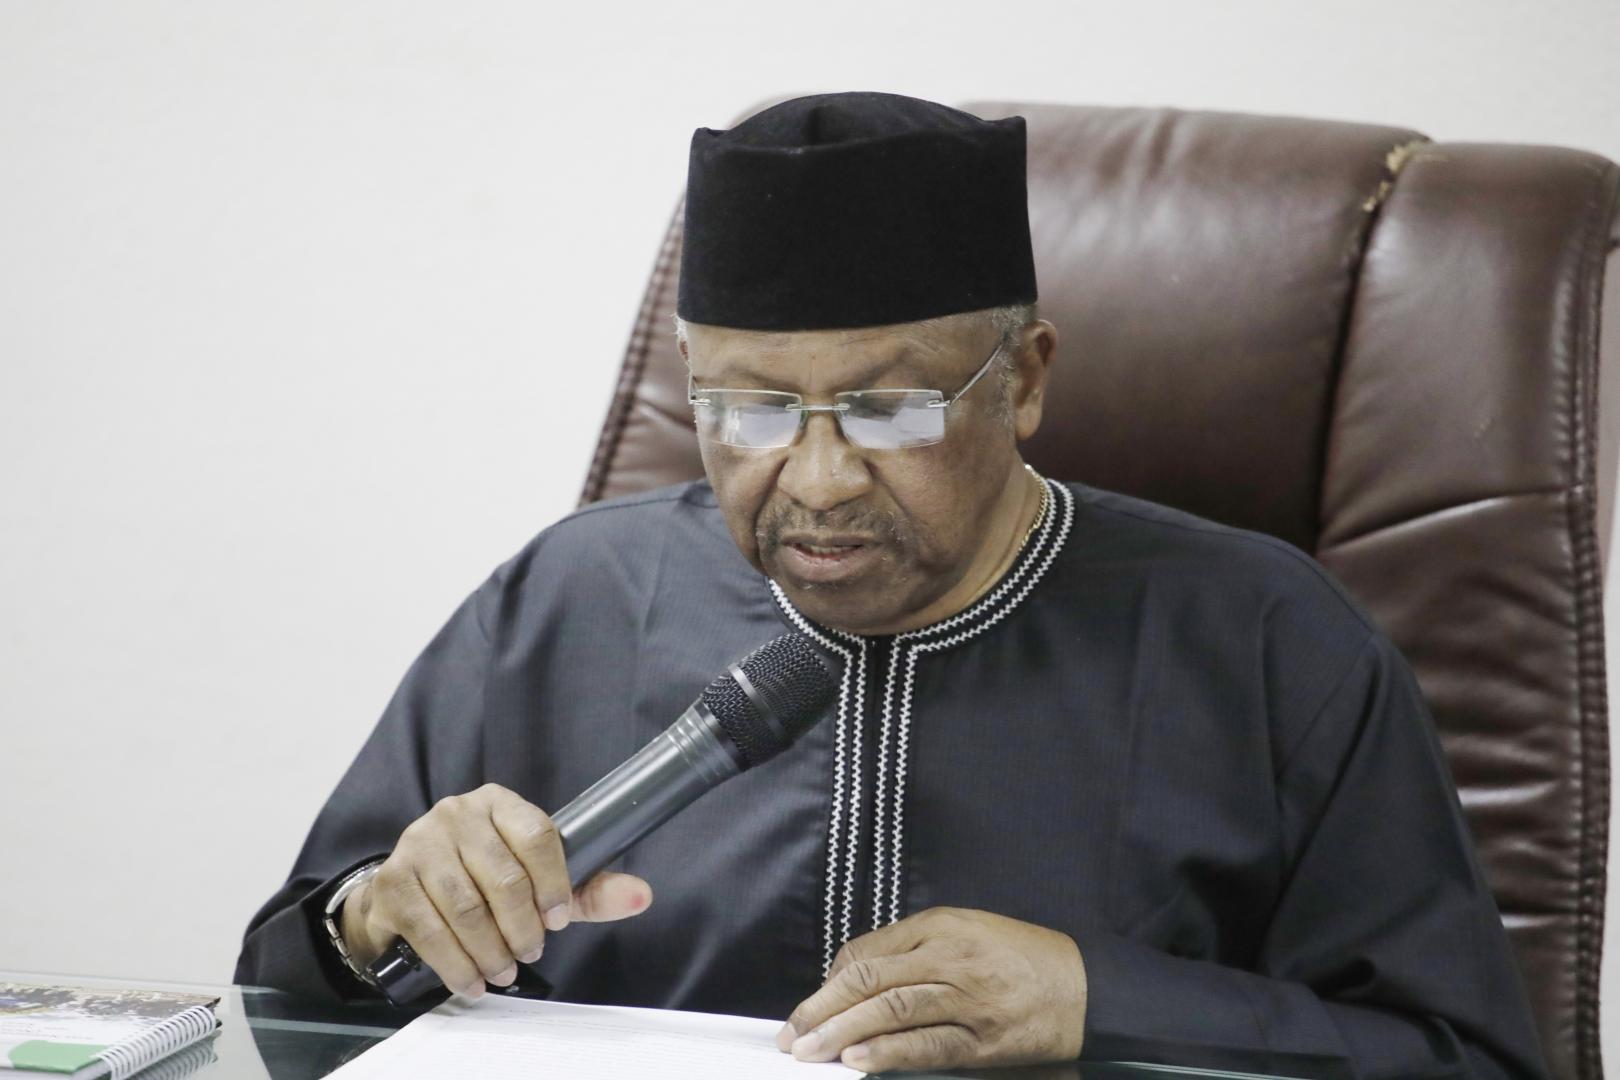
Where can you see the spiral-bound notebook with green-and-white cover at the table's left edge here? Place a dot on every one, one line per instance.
(88, 1034)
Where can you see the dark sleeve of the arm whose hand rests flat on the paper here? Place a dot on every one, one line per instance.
(1384, 955)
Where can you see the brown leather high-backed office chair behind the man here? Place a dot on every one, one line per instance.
(1379, 349)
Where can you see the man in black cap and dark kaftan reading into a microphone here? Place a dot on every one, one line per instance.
(1104, 780)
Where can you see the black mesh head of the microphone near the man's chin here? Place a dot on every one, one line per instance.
(791, 681)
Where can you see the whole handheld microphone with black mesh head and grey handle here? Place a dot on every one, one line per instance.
(748, 716)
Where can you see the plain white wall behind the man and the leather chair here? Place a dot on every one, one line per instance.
(309, 315)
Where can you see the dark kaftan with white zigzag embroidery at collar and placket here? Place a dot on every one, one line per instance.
(1177, 742)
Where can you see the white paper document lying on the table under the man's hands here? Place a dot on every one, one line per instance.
(535, 1040)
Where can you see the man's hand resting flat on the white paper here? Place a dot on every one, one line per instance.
(944, 990)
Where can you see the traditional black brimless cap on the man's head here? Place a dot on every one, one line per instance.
(855, 210)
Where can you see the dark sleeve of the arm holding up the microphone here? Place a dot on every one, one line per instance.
(427, 746)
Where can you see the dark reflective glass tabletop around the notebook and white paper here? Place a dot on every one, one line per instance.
(271, 1035)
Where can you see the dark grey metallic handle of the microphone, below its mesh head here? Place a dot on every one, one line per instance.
(686, 760)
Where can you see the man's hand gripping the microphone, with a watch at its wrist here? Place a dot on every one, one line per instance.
(474, 887)
